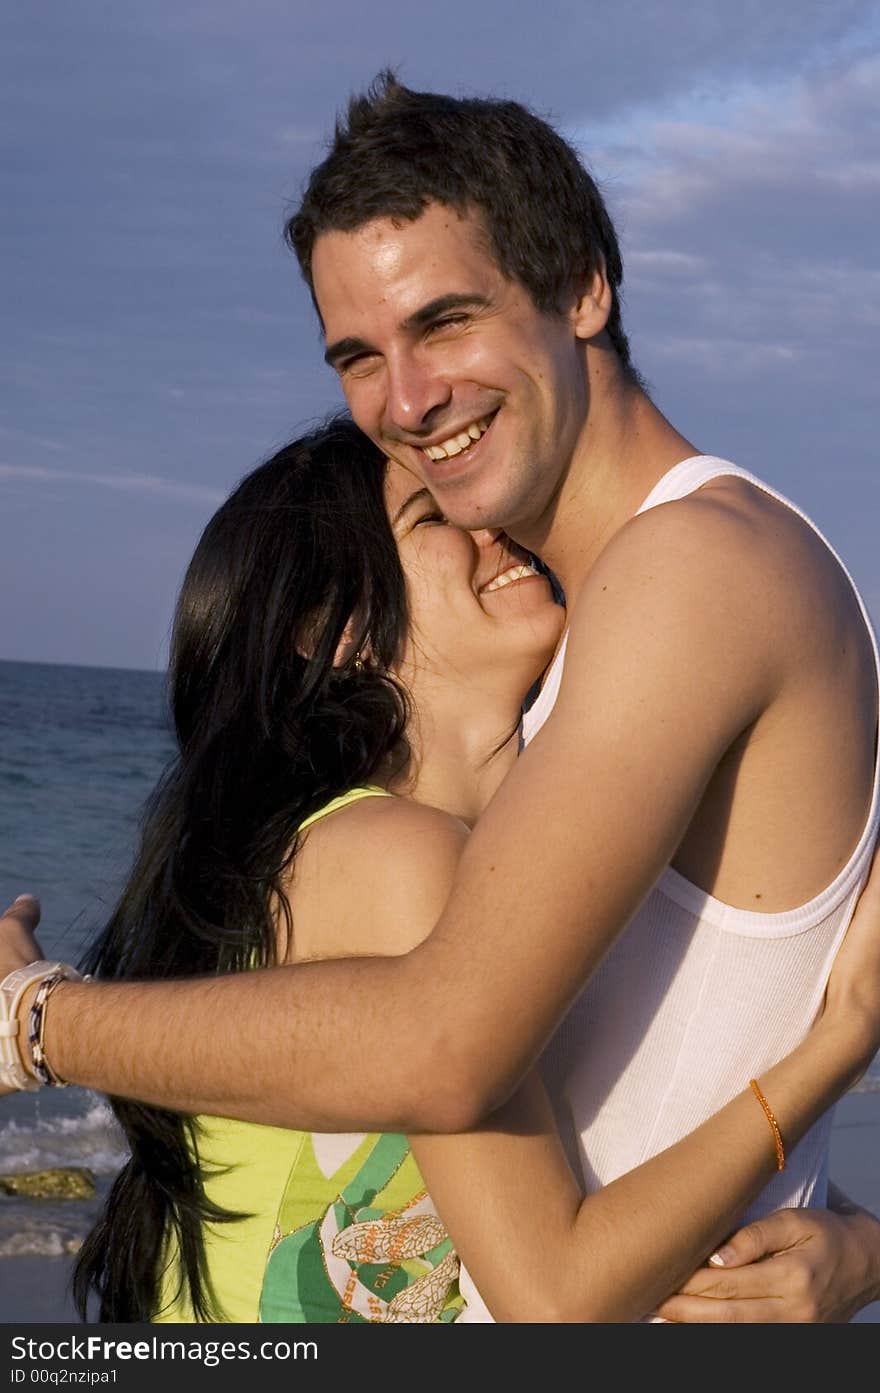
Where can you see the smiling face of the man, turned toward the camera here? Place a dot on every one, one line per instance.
(450, 368)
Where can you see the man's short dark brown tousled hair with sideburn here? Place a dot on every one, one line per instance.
(400, 151)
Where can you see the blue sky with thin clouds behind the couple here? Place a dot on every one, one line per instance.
(158, 342)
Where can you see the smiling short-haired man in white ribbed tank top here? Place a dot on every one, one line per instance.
(718, 674)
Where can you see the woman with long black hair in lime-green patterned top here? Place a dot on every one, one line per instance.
(346, 697)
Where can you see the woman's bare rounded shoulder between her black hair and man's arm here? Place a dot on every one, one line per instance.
(372, 878)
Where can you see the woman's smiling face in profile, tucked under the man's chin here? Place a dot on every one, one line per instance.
(480, 614)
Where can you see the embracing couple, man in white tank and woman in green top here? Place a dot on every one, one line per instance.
(460, 1030)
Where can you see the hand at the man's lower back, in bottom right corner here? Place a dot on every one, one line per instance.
(797, 1266)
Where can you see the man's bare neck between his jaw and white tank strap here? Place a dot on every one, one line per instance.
(624, 448)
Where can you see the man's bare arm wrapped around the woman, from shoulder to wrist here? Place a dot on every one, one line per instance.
(672, 657)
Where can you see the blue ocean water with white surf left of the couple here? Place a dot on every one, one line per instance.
(81, 749)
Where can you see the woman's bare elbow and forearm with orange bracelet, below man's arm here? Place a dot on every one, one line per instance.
(540, 1252)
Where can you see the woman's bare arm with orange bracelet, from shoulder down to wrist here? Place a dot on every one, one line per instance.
(537, 1249)
